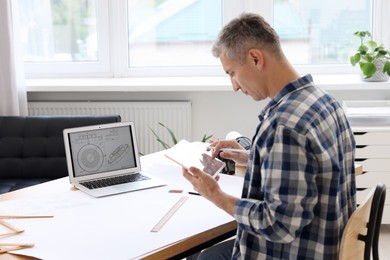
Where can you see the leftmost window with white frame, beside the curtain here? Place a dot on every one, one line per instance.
(64, 37)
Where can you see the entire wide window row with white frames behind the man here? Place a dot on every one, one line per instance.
(129, 38)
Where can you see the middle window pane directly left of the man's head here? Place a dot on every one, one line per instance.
(172, 32)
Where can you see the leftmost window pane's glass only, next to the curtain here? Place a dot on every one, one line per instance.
(58, 30)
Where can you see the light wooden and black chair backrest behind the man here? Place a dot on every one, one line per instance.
(361, 234)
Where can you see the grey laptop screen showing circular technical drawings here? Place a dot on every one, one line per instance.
(102, 150)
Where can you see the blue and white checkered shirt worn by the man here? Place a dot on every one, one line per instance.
(299, 188)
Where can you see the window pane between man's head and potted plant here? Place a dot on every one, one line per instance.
(321, 32)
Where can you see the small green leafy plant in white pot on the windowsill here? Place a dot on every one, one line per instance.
(373, 58)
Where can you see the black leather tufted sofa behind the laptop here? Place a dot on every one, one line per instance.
(32, 147)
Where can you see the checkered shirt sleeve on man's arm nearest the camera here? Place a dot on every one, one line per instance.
(288, 184)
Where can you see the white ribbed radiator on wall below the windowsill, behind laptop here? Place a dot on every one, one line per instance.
(145, 115)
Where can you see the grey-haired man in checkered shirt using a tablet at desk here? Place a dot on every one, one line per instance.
(299, 187)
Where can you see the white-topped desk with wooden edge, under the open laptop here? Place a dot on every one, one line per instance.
(117, 227)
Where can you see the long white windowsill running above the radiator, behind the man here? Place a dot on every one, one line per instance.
(152, 84)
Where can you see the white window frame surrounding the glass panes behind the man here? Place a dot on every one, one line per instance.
(112, 22)
